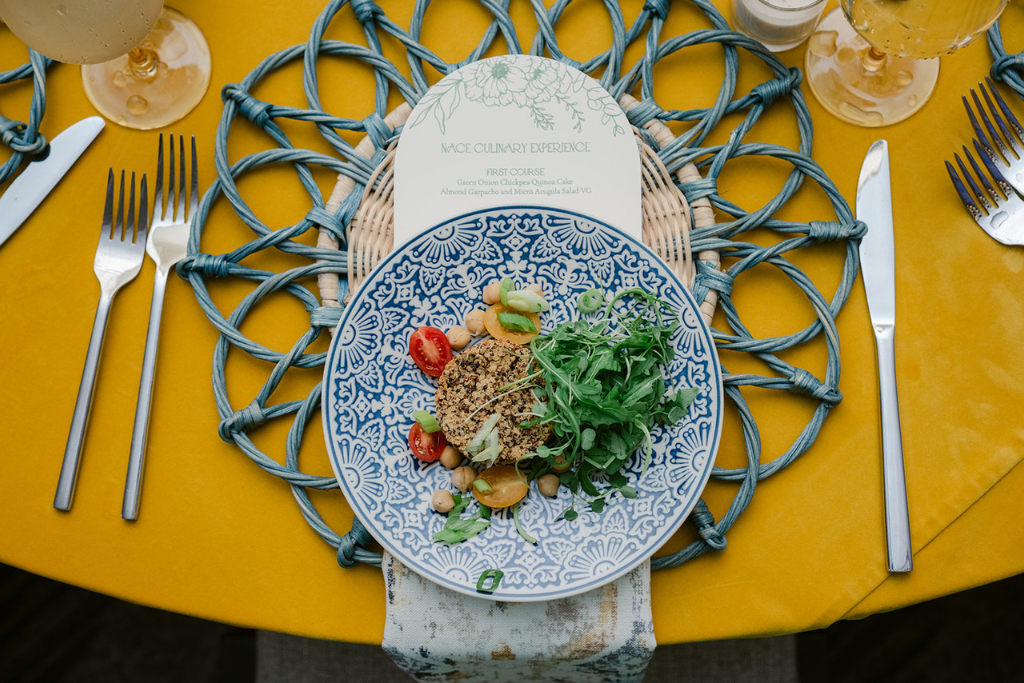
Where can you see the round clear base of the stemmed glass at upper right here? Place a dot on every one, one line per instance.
(860, 84)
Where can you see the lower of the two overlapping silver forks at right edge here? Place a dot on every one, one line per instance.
(1002, 211)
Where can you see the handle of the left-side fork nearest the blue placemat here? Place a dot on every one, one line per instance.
(141, 432)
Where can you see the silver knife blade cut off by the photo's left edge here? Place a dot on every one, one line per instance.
(38, 179)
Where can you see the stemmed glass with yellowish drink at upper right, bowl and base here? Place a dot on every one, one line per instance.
(874, 63)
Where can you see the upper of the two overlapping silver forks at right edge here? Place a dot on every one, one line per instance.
(1010, 159)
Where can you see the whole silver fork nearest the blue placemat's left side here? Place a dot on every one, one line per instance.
(166, 246)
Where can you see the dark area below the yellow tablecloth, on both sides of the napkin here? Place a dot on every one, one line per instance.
(55, 633)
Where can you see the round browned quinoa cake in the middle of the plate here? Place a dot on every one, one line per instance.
(474, 378)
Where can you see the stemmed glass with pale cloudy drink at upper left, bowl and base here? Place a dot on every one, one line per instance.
(145, 66)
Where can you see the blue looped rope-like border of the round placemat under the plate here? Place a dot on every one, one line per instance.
(688, 148)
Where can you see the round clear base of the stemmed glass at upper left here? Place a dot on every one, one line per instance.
(157, 83)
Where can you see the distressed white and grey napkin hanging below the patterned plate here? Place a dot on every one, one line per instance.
(436, 634)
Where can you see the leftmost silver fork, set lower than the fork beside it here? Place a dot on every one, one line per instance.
(119, 258)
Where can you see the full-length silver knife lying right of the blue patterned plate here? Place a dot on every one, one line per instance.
(878, 264)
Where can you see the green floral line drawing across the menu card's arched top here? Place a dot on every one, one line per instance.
(537, 86)
